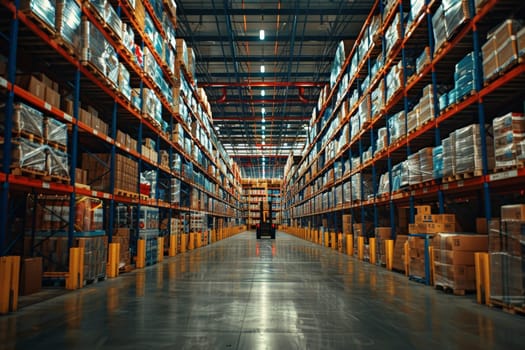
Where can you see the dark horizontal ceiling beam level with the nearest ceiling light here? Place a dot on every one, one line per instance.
(268, 39)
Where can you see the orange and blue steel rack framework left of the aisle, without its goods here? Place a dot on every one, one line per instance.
(32, 45)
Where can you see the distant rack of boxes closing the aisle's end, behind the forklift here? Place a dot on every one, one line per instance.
(255, 191)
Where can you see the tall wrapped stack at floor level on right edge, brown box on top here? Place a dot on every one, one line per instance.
(507, 256)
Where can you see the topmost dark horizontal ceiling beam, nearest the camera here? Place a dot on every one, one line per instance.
(282, 12)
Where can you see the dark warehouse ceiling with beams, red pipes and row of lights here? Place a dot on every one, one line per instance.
(263, 89)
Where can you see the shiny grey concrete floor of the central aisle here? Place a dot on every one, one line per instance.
(246, 294)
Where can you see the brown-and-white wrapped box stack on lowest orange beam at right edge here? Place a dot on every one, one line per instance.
(509, 132)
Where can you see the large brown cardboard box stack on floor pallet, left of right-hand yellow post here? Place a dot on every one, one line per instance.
(454, 259)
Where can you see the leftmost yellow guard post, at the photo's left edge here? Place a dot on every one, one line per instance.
(9, 281)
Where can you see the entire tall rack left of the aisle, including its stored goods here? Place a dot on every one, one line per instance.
(105, 133)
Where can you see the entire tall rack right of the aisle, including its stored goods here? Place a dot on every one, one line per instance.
(425, 109)
